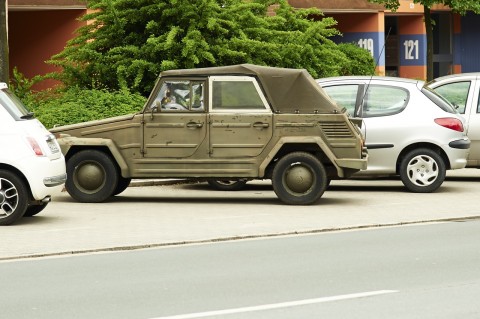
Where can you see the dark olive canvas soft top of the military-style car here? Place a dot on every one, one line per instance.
(288, 90)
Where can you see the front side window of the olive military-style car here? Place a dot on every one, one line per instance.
(181, 96)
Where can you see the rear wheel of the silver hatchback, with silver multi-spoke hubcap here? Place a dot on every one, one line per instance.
(422, 170)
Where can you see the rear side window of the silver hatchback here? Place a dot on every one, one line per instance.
(384, 100)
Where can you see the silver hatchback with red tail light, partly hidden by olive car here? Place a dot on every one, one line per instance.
(409, 130)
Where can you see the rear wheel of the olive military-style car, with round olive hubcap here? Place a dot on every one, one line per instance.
(299, 178)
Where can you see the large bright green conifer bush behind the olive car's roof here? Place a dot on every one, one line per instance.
(128, 42)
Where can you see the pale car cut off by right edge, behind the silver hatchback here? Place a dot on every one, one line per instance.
(463, 90)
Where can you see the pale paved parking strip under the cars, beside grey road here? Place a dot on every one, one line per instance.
(193, 213)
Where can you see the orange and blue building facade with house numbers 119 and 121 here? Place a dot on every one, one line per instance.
(397, 40)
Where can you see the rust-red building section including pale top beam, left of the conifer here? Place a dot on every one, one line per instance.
(38, 29)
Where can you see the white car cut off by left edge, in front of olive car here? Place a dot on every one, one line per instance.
(32, 167)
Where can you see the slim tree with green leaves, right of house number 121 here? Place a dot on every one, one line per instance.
(458, 6)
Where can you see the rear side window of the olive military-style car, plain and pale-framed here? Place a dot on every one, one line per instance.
(235, 95)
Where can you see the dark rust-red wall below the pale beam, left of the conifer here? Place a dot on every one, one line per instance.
(34, 36)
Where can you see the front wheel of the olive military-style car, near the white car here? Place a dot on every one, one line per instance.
(92, 176)
